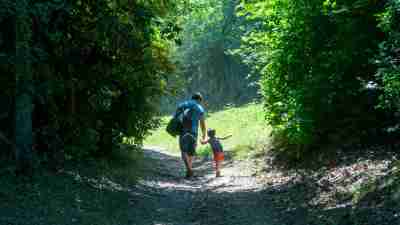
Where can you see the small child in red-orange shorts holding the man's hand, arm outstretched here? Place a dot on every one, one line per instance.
(217, 149)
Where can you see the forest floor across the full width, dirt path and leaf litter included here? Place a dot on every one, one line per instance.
(252, 191)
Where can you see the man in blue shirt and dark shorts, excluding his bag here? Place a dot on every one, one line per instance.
(193, 116)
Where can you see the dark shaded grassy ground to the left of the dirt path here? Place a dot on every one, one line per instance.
(94, 192)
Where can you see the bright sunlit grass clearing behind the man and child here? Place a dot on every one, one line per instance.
(246, 124)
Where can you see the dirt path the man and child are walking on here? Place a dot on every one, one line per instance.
(163, 197)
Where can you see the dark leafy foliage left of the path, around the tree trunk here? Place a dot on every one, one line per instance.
(99, 69)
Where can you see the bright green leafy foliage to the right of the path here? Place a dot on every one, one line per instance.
(314, 57)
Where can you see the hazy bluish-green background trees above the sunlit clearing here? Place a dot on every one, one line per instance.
(210, 30)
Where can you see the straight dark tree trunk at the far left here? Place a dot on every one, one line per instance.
(24, 90)
